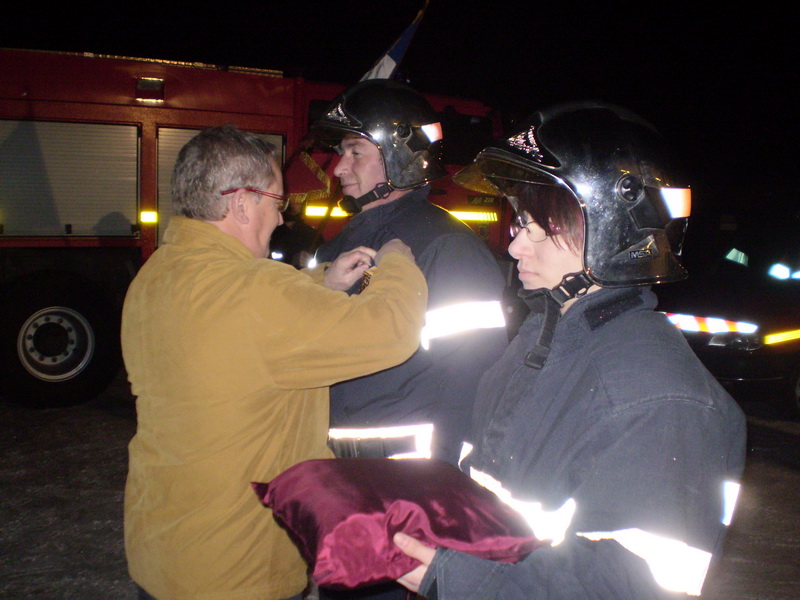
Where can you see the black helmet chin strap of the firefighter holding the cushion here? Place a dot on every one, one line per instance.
(550, 302)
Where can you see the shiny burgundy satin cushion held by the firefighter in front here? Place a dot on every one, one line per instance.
(342, 514)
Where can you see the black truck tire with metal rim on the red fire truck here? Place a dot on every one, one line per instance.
(59, 341)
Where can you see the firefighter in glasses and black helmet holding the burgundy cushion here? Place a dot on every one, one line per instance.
(599, 424)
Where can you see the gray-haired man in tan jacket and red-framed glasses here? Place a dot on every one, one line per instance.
(230, 355)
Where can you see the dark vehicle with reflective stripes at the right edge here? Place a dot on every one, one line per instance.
(740, 308)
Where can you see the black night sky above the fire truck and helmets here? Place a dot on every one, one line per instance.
(720, 84)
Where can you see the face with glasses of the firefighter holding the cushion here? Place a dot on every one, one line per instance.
(542, 264)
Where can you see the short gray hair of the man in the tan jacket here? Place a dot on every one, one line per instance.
(218, 159)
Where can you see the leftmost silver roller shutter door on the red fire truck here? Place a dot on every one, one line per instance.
(78, 178)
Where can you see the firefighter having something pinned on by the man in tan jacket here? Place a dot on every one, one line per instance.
(389, 139)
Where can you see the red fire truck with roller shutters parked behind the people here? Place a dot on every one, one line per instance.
(87, 146)
